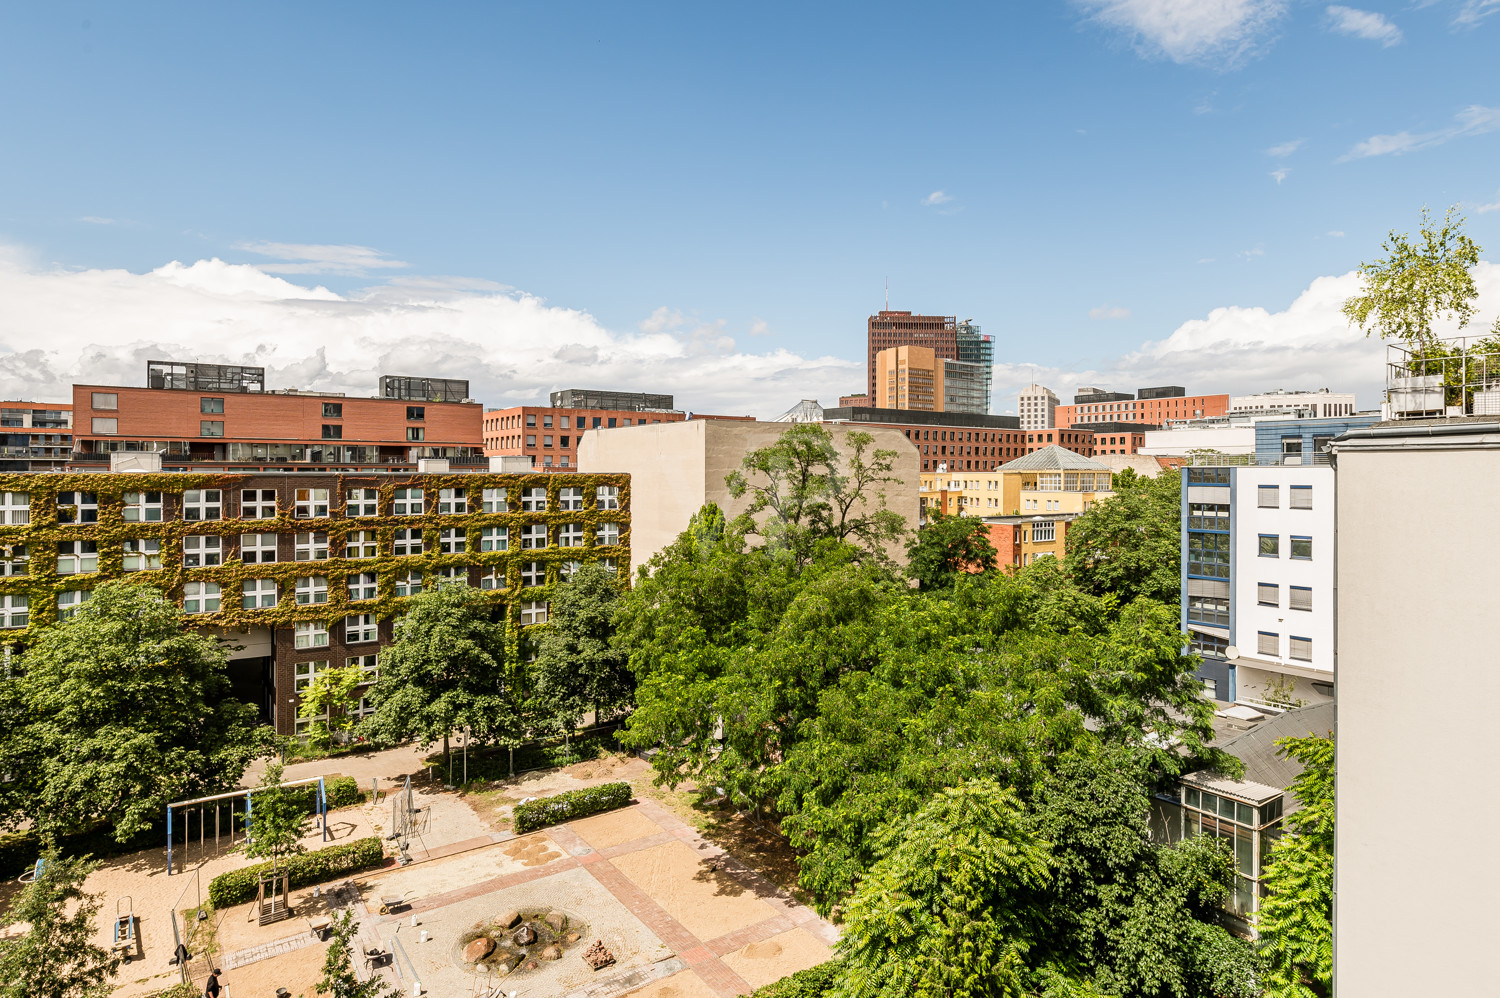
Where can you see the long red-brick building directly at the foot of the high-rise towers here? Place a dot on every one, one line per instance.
(964, 442)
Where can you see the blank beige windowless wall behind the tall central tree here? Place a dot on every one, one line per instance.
(677, 467)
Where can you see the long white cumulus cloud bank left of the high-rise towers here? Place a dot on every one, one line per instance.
(59, 328)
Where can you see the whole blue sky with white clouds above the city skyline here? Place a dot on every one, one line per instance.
(1081, 178)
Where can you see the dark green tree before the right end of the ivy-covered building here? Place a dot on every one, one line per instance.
(578, 669)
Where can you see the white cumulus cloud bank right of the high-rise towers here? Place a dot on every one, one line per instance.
(1241, 350)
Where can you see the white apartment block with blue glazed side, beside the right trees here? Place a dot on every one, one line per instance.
(1259, 582)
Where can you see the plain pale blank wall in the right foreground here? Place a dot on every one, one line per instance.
(1418, 738)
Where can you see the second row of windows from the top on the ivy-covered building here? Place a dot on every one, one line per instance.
(203, 552)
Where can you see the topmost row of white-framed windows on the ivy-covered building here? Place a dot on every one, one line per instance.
(203, 505)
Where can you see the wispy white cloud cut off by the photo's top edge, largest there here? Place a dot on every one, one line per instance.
(1210, 32)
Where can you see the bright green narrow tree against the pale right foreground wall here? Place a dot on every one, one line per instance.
(1297, 919)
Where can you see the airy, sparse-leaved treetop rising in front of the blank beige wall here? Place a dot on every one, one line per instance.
(815, 494)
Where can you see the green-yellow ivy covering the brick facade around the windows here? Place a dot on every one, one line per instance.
(43, 585)
